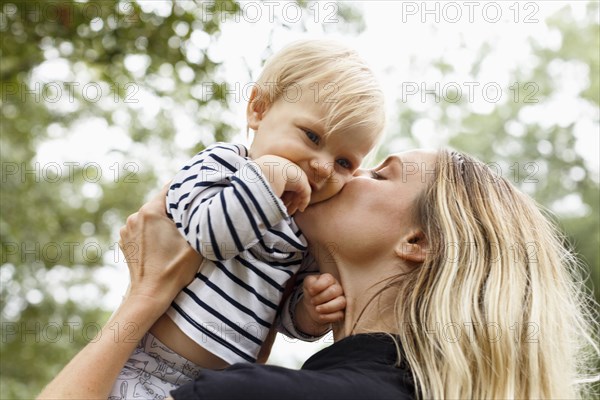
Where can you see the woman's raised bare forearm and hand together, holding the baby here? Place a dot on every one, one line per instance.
(160, 264)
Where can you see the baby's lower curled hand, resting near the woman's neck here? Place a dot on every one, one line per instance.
(323, 302)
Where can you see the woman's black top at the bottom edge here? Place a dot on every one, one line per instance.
(357, 367)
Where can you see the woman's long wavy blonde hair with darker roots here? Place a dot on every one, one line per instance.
(498, 309)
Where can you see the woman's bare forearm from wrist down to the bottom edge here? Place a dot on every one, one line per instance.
(92, 372)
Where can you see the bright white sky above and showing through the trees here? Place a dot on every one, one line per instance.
(398, 45)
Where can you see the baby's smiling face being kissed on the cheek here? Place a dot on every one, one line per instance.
(294, 130)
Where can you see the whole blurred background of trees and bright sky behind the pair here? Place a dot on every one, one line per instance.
(102, 102)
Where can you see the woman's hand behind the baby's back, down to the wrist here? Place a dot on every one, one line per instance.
(160, 261)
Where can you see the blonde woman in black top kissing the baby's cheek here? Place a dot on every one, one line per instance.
(456, 286)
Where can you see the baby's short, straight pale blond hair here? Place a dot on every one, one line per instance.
(331, 74)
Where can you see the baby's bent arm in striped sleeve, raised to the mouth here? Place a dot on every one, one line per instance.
(223, 203)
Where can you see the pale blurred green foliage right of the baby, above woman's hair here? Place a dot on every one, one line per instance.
(538, 157)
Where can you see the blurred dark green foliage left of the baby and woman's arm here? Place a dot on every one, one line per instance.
(135, 69)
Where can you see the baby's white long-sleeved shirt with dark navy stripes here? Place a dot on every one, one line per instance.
(225, 208)
